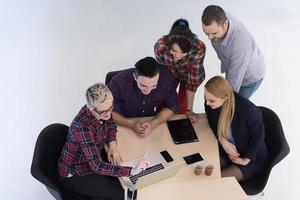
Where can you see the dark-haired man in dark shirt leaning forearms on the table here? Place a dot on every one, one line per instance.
(146, 90)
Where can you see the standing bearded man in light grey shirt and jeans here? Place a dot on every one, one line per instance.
(241, 59)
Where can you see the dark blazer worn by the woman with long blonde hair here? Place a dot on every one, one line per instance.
(247, 128)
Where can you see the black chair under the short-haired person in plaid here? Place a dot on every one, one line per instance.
(44, 163)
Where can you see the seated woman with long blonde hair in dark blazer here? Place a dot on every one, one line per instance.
(238, 125)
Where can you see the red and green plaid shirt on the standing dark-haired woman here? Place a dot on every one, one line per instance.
(188, 70)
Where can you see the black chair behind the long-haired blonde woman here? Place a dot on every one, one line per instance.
(278, 149)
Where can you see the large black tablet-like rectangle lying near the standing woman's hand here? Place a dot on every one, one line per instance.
(182, 131)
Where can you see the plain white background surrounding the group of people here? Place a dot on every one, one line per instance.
(52, 50)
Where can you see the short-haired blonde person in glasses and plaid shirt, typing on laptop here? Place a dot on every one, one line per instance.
(83, 165)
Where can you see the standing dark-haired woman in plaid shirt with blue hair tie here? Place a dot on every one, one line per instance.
(183, 53)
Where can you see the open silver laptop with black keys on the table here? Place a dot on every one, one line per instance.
(159, 170)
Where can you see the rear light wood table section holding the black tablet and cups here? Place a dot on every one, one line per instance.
(133, 146)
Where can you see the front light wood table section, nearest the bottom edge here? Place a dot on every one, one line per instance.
(212, 189)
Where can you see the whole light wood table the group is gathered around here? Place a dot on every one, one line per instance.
(133, 146)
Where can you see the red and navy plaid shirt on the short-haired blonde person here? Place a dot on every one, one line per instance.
(81, 154)
